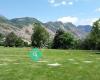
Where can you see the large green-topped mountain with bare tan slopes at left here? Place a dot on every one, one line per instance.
(22, 27)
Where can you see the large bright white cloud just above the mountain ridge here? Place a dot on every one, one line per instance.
(68, 19)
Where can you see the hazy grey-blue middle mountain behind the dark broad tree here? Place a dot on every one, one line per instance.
(68, 27)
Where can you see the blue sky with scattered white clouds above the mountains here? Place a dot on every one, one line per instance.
(79, 12)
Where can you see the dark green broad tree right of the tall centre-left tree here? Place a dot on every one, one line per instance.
(63, 40)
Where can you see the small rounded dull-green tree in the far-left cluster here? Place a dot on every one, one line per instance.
(10, 39)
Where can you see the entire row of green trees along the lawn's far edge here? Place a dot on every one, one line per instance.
(62, 40)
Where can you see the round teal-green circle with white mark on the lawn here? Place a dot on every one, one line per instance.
(35, 54)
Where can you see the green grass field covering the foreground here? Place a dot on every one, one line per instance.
(15, 64)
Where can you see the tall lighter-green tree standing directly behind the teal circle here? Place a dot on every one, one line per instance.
(40, 36)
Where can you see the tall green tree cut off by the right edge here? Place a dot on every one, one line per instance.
(92, 41)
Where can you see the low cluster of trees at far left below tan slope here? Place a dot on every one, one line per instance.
(12, 40)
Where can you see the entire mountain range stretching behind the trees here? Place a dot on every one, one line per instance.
(22, 27)
